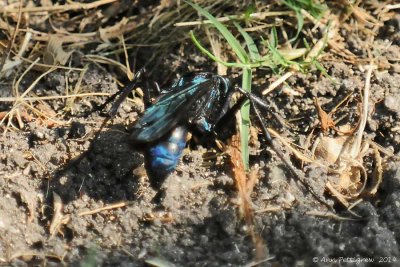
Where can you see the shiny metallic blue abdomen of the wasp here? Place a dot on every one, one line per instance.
(164, 155)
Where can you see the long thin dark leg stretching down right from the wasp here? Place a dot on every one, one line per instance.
(256, 100)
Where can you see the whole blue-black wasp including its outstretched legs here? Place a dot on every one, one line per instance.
(196, 100)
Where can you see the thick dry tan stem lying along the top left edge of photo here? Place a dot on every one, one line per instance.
(61, 8)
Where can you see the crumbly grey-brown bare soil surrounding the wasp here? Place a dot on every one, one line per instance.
(57, 200)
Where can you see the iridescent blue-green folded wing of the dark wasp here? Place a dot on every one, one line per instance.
(171, 108)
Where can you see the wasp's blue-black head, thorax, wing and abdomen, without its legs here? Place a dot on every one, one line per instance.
(196, 100)
